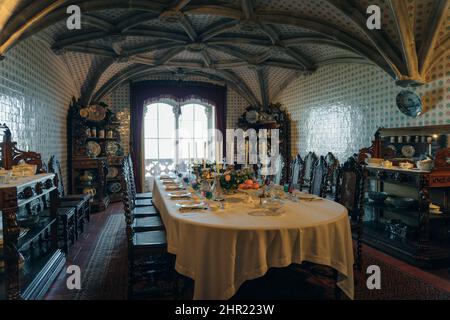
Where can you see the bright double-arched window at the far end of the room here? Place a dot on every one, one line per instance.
(176, 134)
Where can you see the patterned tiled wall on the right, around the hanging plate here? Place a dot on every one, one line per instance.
(340, 107)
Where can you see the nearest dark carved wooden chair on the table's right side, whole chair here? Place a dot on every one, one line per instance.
(350, 193)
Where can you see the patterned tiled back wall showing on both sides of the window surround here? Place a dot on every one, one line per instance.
(119, 102)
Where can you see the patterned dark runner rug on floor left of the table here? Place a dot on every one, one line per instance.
(105, 277)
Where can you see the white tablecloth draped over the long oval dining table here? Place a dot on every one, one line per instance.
(222, 249)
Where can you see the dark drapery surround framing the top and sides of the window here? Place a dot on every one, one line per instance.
(150, 91)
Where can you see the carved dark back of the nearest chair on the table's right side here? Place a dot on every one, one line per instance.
(350, 188)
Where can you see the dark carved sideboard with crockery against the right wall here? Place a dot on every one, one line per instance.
(407, 211)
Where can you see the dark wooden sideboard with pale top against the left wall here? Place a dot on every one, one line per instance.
(30, 244)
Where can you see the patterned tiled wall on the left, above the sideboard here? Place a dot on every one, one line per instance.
(35, 92)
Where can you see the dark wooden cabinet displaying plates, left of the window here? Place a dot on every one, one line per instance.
(94, 153)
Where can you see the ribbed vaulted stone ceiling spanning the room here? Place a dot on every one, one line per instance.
(256, 47)
